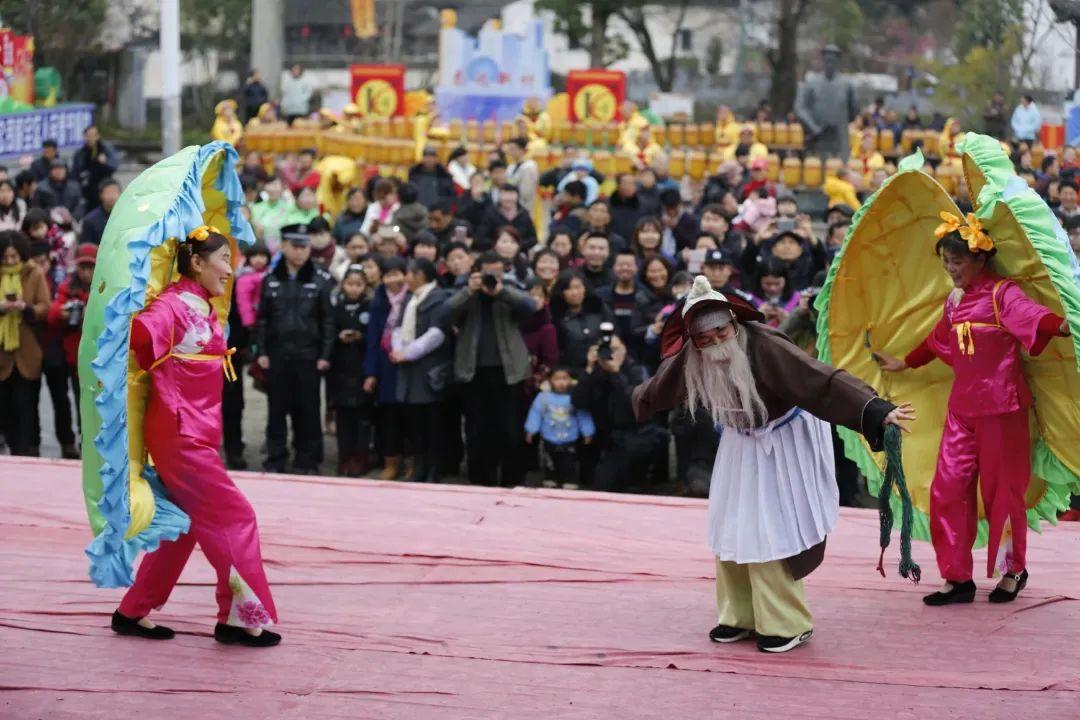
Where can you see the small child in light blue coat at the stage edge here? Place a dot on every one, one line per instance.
(560, 426)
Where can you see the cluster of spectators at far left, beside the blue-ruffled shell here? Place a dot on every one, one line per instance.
(52, 216)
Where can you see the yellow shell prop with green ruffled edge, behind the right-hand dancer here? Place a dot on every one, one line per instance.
(885, 293)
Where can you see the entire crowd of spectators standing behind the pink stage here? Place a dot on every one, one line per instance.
(453, 324)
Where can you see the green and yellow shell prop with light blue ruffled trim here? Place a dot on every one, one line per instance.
(129, 509)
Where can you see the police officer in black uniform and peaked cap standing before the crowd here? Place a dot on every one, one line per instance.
(294, 337)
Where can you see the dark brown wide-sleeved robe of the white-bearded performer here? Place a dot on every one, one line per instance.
(786, 378)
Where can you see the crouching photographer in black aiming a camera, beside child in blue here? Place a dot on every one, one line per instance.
(628, 450)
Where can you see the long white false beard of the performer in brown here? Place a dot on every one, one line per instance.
(720, 382)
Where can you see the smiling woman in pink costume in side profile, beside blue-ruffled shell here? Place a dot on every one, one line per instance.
(179, 341)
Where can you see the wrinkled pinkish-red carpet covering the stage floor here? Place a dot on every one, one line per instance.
(416, 602)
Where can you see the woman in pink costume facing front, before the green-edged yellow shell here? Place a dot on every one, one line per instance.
(987, 321)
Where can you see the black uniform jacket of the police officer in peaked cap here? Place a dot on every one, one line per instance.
(296, 318)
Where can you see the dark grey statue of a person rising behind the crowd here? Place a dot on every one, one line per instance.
(827, 104)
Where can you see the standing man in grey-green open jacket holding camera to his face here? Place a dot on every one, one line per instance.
(492, 360)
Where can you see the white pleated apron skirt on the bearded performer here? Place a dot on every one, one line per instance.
(774, 492)
